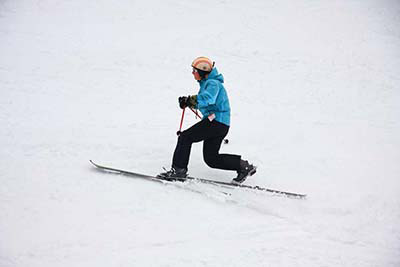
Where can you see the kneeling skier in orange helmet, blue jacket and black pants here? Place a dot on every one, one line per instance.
(212, 101)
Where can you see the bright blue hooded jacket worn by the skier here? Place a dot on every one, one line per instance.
(212, 98)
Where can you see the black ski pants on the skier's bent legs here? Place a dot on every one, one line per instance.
(212, 133)
